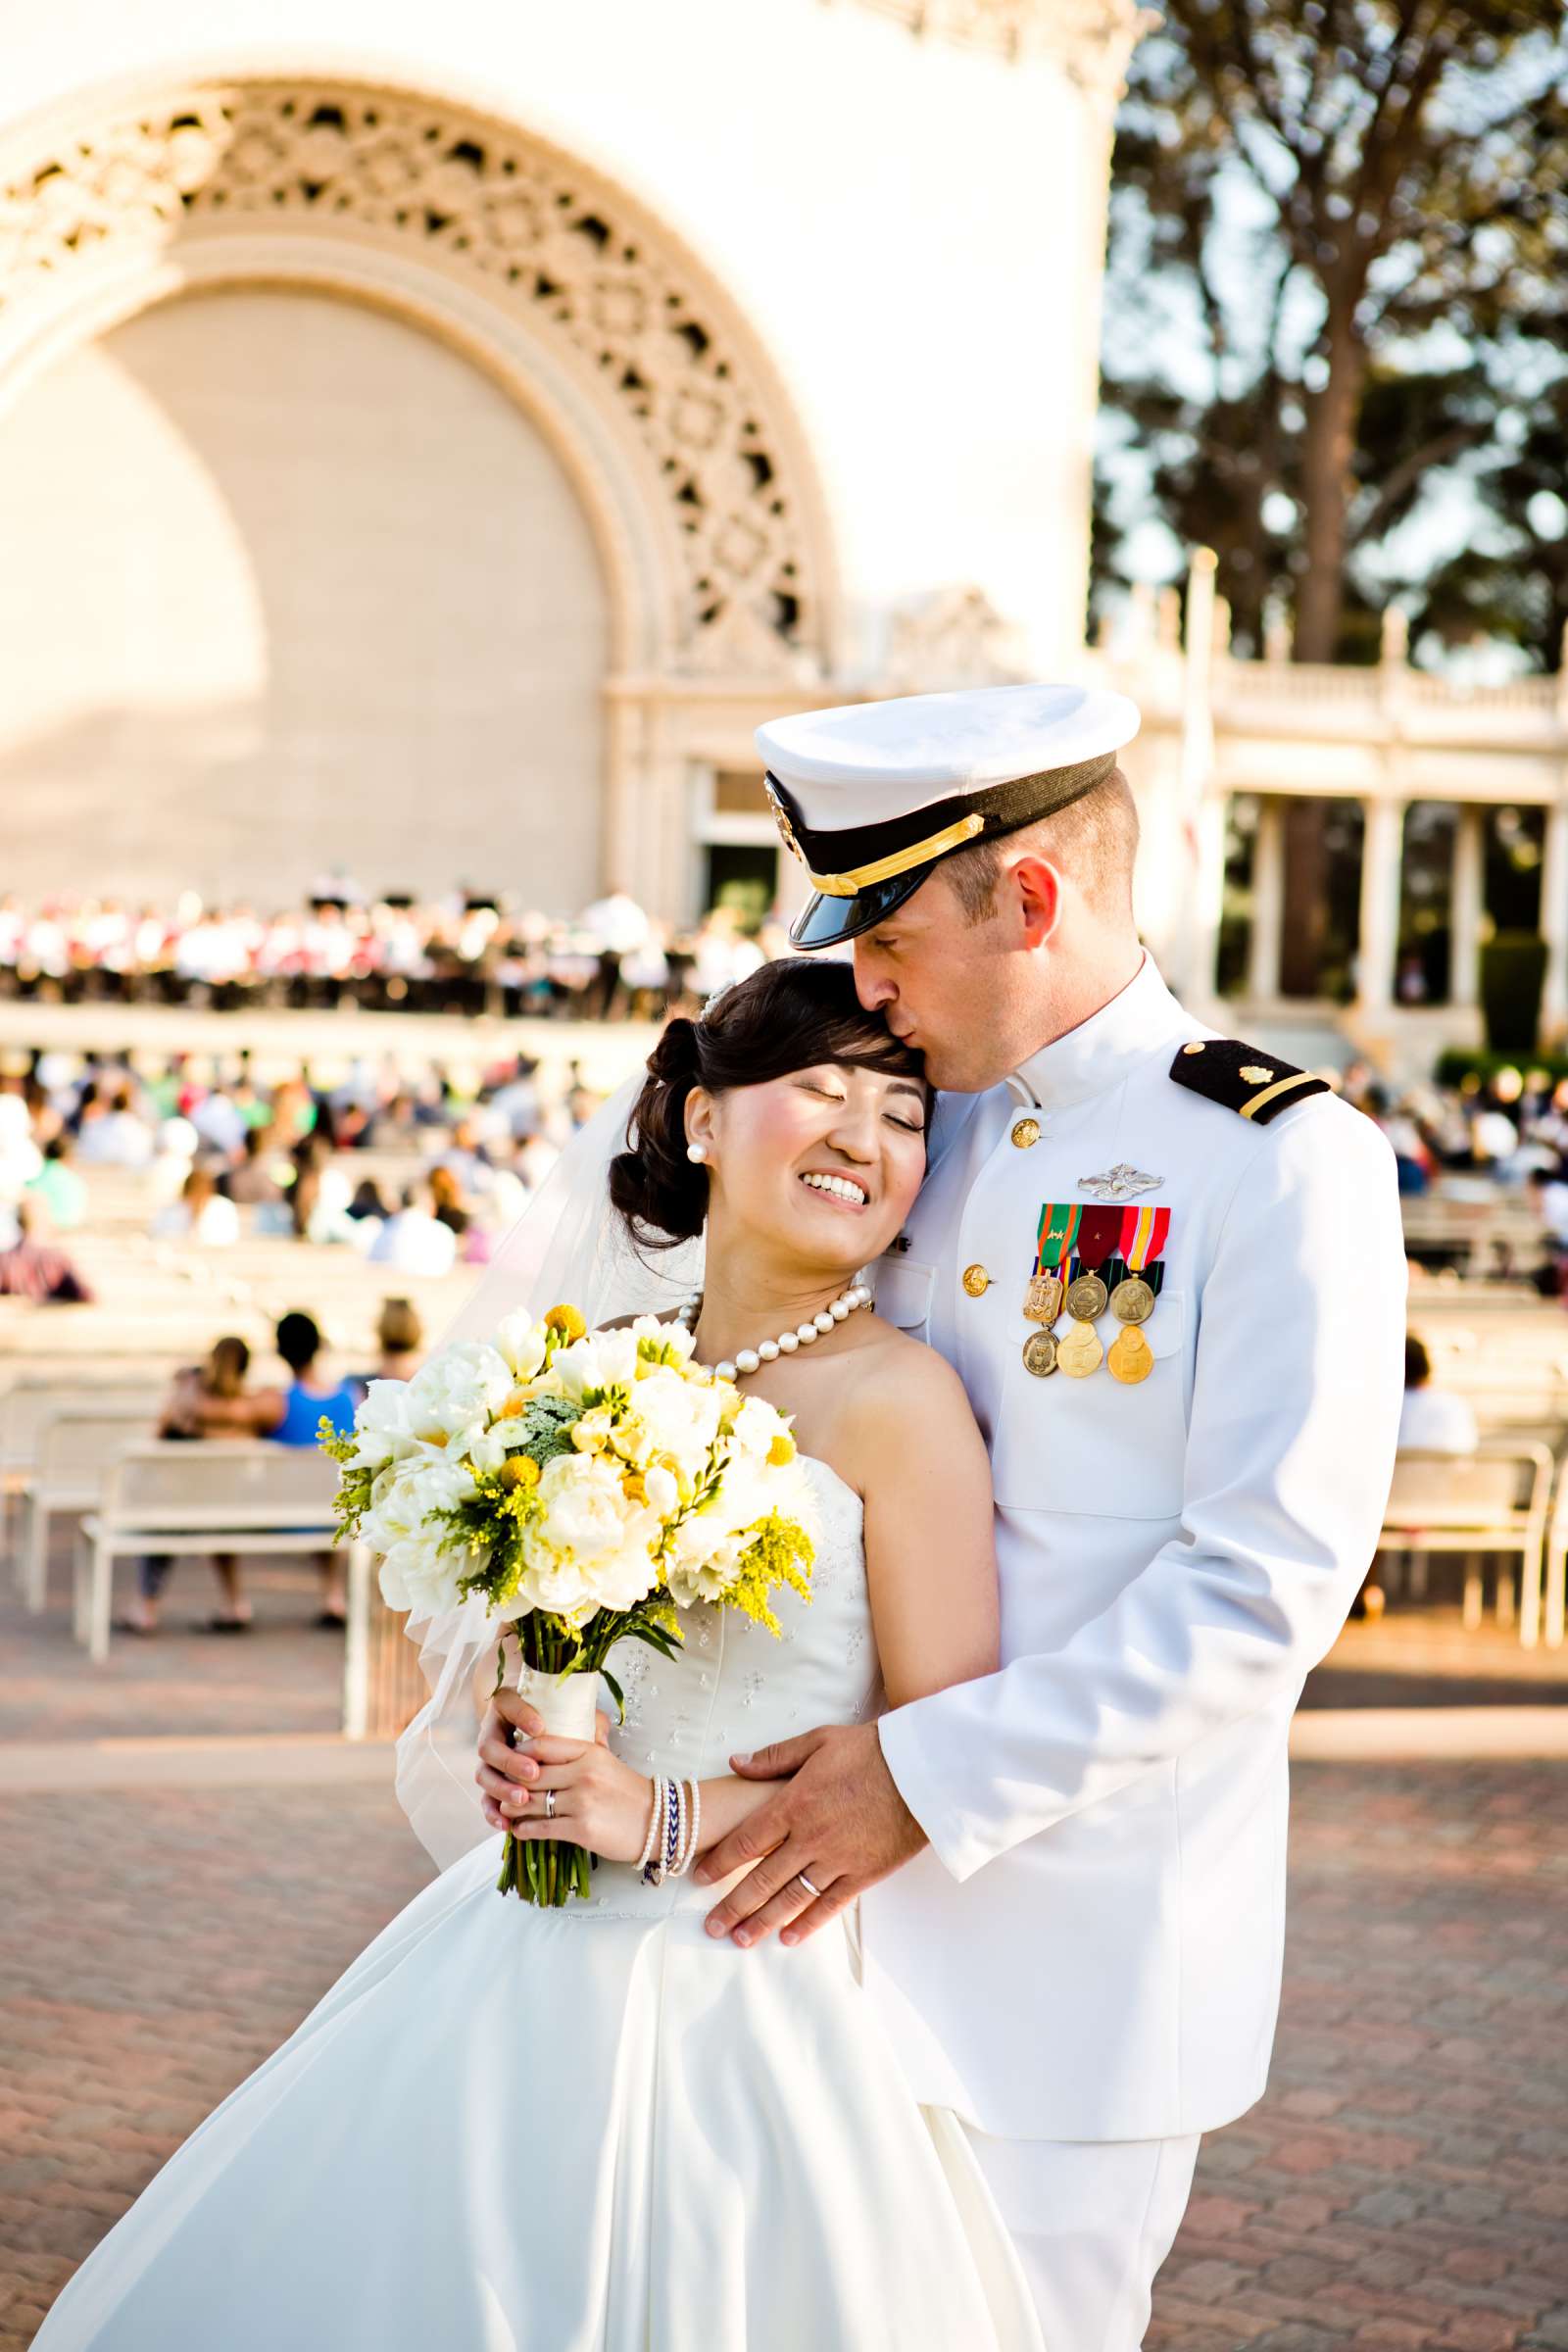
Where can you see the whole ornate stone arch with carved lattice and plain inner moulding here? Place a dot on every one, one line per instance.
(589, 309)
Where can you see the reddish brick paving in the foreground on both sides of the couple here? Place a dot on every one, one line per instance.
(1400, 2191)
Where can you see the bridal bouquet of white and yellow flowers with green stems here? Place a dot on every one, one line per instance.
(589, 1485)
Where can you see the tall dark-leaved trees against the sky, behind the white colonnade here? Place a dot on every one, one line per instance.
(1339, 279)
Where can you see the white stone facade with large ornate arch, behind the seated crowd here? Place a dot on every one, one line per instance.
(434, 439)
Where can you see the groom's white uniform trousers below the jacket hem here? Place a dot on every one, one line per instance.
(1092, 2224)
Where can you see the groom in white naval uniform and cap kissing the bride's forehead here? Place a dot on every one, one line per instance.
(1170, 1271)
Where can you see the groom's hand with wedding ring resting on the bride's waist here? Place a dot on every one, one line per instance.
(840, 1822)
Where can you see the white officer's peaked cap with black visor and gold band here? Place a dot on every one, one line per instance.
(873, 796)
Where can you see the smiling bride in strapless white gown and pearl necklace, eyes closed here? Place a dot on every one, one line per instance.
(598, 2127)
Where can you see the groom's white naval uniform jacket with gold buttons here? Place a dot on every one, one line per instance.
(1092, 1946)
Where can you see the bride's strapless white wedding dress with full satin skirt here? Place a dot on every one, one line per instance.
(591, 2130)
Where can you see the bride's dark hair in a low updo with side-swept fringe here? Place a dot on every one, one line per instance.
(793, 1015)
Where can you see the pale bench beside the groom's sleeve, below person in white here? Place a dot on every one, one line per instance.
(1477, 1504)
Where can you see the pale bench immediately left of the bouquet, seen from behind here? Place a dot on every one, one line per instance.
(222, 1497)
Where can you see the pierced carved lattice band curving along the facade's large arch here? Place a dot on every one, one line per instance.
(483, 201)
